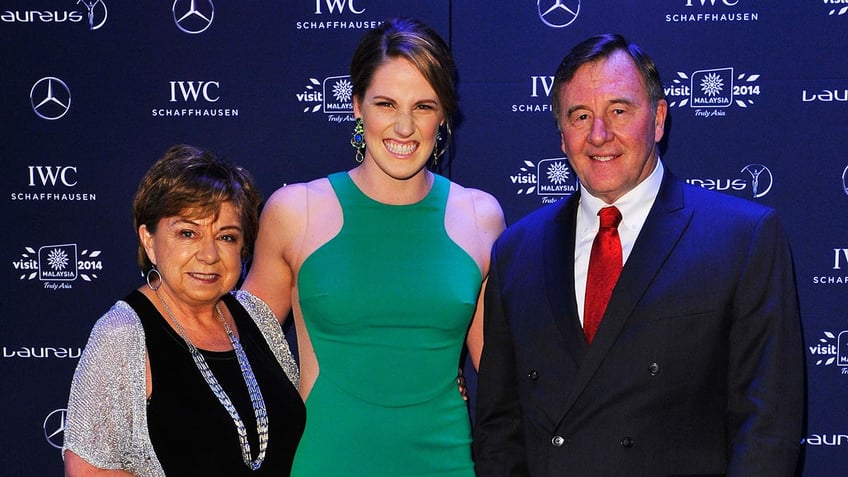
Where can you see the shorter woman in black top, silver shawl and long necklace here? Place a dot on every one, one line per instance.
(183, 376)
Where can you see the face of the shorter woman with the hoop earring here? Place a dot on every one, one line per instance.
(199, 258)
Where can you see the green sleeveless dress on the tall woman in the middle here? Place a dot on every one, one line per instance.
(387, 303)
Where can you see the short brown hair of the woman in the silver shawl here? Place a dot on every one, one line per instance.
(192, 180)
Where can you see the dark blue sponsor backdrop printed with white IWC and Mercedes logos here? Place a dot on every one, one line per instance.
(93, 91)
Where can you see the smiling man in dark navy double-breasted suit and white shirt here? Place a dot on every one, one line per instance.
(697, 366)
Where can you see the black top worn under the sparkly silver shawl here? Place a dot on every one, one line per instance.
(191, 431)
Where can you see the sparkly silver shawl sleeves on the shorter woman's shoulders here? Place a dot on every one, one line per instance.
(107, 417)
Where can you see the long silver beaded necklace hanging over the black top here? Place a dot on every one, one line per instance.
(249, 379)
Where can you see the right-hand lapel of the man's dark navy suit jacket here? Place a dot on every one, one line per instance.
(662, 230)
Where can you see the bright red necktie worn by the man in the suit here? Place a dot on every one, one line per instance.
(604, 269)
